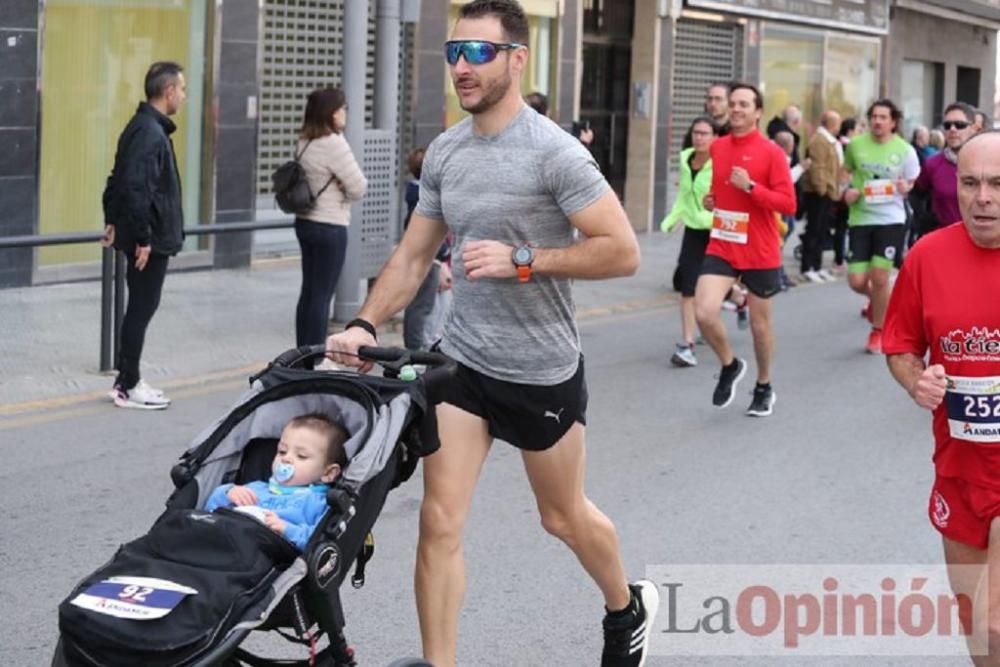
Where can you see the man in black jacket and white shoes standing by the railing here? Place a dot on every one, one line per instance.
(144, 220)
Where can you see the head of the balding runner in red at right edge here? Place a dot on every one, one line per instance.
(979, 188)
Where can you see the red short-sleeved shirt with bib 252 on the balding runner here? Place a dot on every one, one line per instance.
(945, 301)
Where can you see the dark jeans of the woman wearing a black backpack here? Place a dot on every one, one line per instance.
(323, 249)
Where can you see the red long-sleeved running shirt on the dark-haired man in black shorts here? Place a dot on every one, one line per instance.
(773, 192)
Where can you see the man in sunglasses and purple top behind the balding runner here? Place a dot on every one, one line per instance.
(939, 175)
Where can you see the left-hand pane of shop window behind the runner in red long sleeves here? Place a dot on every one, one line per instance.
(791, 72)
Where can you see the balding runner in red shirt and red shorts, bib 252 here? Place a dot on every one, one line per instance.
(945, 303)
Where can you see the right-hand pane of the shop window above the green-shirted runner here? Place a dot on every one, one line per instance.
(851, 75)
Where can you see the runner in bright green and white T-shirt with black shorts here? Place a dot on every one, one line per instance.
(882, 167)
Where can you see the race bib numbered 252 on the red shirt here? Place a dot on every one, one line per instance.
(973, 406)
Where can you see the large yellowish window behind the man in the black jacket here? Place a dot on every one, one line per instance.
(95, 54)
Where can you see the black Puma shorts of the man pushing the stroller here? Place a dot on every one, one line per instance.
(530, 417)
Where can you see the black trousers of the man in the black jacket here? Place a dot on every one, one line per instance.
(144, 289)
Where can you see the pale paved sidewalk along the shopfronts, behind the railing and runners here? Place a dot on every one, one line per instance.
(212, 322)
